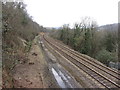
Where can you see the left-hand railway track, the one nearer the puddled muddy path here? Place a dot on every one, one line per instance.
(108, 83)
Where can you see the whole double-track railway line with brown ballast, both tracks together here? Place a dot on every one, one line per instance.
(105, 76)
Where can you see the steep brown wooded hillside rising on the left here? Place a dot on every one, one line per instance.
(18, 32)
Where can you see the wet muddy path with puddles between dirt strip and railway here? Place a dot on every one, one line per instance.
(63, 78)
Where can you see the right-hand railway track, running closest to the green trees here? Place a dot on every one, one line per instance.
(114, 75)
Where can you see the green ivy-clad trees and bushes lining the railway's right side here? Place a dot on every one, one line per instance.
(86, 38)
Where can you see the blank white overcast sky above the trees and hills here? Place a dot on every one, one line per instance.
(55, 13)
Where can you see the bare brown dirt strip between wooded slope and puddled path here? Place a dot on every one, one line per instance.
(35, 73)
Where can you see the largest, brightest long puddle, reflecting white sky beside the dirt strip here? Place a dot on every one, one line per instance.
(58, 78)
